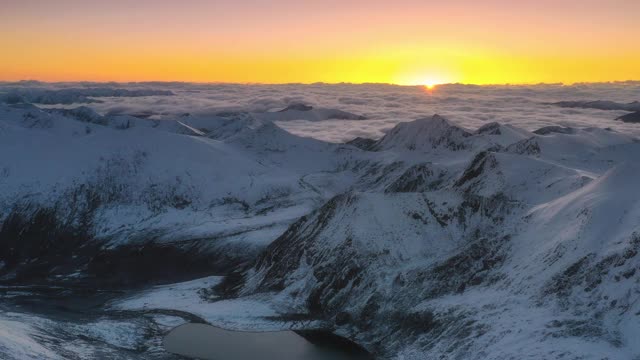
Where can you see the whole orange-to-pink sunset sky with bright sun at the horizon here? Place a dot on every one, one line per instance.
(278, 41)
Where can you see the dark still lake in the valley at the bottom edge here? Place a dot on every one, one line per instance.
(211, 343)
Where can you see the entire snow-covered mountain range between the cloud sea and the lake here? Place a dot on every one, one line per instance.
(432, 242)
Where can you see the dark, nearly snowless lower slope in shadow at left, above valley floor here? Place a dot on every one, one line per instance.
(42, 245)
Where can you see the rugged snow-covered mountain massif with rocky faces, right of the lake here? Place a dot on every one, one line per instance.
(529, 248)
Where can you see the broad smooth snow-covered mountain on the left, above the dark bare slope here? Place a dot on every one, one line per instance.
(193, 182)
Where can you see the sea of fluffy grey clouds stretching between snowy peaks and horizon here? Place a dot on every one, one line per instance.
(470, 106)
